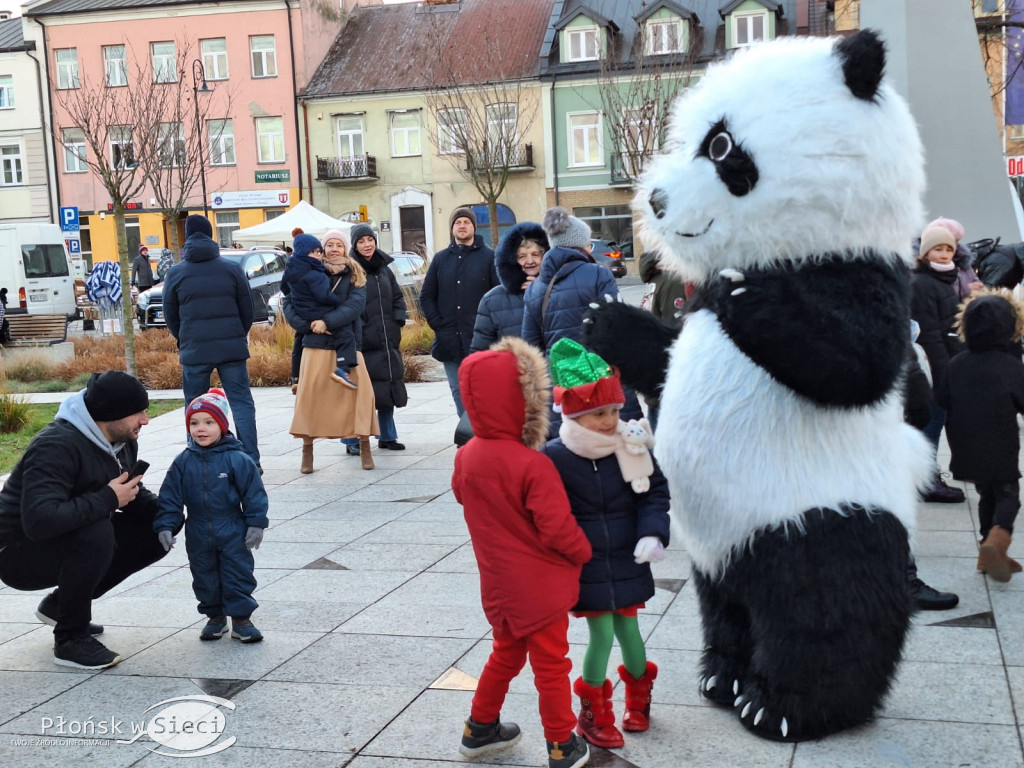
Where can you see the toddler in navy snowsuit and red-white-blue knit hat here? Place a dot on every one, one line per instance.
(221, 485)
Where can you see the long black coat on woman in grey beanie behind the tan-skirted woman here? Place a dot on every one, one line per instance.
(382, 322)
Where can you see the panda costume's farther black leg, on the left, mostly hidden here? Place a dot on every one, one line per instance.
(727, 633)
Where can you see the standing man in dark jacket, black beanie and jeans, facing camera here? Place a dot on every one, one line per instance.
(456, 281)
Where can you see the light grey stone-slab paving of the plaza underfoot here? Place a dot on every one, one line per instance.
(370, 605)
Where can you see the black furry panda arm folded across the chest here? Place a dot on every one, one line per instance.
(834, 330)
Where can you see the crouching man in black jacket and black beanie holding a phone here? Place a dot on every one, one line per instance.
(72, 518)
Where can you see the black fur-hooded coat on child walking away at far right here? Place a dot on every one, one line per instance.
(983, 394)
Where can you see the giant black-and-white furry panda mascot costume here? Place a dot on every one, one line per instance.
(790, 193)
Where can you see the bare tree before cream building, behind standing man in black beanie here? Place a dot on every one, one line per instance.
(480, 113)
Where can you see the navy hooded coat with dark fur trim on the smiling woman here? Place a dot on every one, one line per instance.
(500, 313)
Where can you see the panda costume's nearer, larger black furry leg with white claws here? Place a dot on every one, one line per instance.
(828, 626)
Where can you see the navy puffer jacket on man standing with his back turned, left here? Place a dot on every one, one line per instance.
(208, 306)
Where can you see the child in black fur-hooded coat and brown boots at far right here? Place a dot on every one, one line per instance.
(984, 392)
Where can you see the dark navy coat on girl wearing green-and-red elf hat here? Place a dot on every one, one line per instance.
(615, 519)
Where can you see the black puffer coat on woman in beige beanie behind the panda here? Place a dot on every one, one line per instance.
(934, 305)
